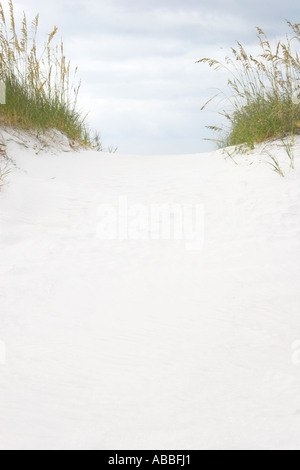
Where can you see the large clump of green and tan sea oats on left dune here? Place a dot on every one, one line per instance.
(39, 91)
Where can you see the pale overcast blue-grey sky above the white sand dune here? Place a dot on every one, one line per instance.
(136, 58)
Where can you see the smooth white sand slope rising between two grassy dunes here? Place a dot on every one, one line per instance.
(146, 344)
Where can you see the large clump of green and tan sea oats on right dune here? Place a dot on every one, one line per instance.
(262, 93)
